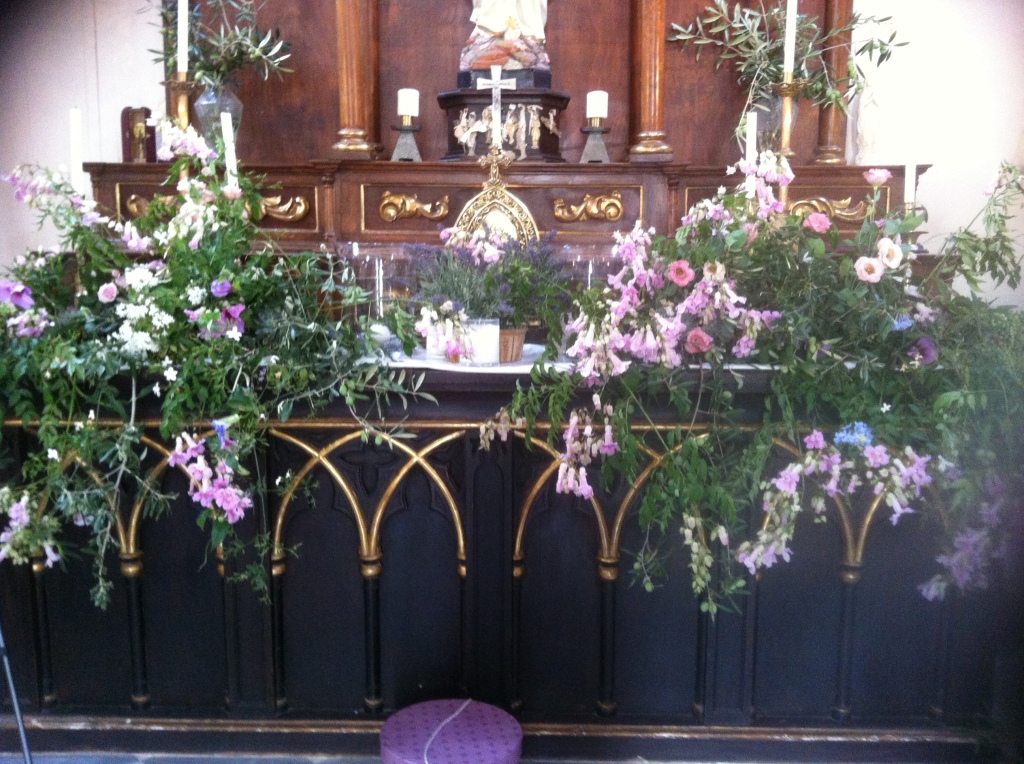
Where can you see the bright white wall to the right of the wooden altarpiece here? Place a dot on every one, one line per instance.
(952, 99)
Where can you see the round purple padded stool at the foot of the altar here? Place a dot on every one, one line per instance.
(451, 733)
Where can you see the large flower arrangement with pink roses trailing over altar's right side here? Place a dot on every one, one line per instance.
(846, 332)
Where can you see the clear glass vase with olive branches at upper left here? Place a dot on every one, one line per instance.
(225, 39)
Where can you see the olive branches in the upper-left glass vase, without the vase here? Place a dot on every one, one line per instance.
(225, 39)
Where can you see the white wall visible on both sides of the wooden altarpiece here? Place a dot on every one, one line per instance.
(951, 99)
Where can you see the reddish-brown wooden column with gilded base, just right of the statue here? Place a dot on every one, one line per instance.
(648, 94)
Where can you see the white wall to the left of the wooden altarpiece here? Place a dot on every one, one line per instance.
(56, 55)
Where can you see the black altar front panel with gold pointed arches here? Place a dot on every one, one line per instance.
(426, 569)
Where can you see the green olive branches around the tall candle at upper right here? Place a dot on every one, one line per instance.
(752, 39)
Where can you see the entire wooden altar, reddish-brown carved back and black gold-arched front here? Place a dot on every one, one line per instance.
(431, 569)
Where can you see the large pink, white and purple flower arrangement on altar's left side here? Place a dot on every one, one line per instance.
(187, 315)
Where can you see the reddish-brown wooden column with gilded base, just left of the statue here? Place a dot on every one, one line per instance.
(355, 77)
